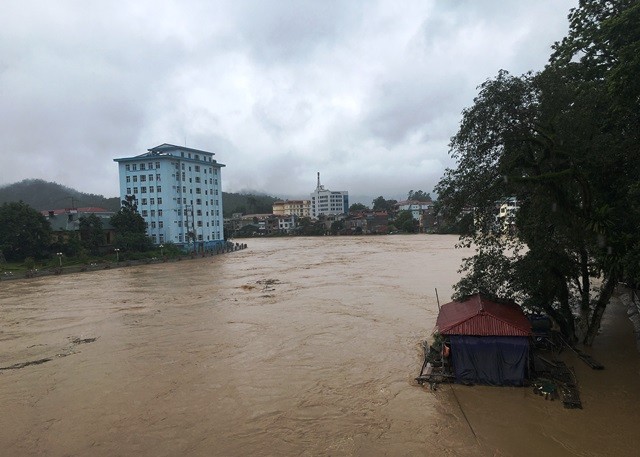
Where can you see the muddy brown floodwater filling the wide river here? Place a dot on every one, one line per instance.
(299, 346)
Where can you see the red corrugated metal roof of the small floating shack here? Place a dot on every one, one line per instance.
(482, 317)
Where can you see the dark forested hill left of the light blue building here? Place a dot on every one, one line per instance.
(43, 195)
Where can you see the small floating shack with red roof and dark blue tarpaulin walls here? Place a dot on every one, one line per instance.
(489, 341)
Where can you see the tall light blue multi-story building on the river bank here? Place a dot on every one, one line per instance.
(178, 191)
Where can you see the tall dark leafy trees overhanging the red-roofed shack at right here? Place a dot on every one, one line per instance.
(564, 143)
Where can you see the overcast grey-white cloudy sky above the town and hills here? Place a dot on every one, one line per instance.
(368, 93)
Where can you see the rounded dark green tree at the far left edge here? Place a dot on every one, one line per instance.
(24, 232)
